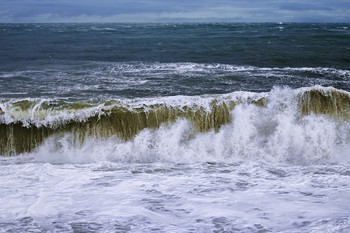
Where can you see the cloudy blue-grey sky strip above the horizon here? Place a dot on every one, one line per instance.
(52, 11)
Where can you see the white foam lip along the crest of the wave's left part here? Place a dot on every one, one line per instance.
(57, 115)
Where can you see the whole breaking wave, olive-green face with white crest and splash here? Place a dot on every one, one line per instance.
(305, 124)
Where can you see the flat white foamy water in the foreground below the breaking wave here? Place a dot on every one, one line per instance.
(204, 197)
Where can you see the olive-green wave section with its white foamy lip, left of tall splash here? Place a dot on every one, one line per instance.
(24, 128)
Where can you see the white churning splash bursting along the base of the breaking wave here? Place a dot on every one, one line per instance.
(275, 133)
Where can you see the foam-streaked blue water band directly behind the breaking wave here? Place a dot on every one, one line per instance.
(137, 79)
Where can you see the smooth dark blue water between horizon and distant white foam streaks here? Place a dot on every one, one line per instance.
(262, 45)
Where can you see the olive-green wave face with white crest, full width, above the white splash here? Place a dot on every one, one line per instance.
(26, 124)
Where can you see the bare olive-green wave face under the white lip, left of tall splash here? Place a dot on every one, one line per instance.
(121, 122)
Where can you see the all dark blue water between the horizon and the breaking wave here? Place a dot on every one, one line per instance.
(141, 60)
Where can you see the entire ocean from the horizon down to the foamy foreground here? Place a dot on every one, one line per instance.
(179, 127)
